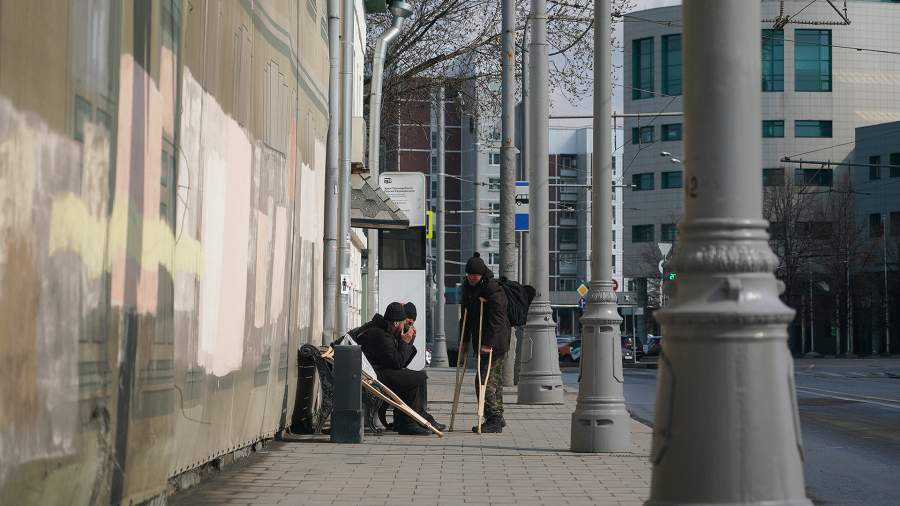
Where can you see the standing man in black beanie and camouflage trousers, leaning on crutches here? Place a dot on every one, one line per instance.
(481, 290)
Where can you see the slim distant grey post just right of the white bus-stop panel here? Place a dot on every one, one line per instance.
(439, 353)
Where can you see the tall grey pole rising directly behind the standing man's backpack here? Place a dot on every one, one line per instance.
(508, 253)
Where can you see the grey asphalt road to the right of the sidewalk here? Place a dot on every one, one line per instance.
(850, 416)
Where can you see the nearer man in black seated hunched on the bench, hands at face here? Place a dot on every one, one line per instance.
(389, 349)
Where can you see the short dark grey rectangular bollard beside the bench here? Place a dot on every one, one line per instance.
(347, 414)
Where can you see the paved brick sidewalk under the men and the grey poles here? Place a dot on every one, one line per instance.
(529, 463)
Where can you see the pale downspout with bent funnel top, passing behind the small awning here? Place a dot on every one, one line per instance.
(400, 10)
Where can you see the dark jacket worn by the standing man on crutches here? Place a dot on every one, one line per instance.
(495, 323)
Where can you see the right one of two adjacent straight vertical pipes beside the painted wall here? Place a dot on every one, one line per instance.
(343, 300)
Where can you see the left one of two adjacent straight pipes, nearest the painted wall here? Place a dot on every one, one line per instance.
(332, 159)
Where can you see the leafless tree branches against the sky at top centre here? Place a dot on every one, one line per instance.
(451, 42)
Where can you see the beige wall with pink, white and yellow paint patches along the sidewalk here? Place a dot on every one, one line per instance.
(161, 187)
